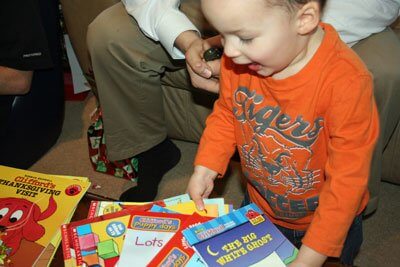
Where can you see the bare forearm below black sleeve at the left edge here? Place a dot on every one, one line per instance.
(14, 82)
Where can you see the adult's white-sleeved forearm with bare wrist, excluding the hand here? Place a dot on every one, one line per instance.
(162, 21)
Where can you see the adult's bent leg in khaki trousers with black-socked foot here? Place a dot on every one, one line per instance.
(128, 68)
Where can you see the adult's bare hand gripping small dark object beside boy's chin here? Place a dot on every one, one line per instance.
(203, 75)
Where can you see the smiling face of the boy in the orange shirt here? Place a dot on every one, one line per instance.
(254, 33)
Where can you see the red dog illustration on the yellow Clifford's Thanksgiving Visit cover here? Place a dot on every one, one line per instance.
(19, 219)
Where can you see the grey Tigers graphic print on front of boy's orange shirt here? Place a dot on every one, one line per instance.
(277, 148)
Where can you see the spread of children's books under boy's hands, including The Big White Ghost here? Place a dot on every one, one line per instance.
(171, 232)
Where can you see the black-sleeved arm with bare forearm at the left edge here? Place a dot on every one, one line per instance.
(23, 46)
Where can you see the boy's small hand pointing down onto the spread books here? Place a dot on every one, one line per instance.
(201, 185)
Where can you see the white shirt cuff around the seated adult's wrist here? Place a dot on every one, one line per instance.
(170, 27)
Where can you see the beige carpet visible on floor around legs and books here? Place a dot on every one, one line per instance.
(70, 157)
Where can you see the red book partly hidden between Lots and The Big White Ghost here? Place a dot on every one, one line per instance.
(177, 252)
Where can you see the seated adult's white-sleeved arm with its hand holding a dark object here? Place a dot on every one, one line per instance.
(162, 21)
